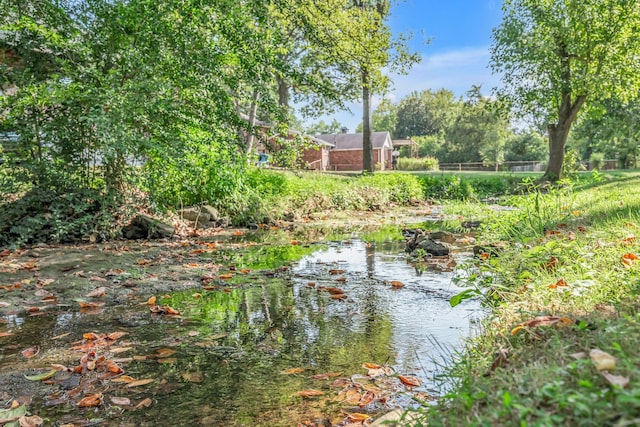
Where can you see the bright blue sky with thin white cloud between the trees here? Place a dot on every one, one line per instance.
(456, 57)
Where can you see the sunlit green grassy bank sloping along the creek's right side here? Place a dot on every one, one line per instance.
(566, 290)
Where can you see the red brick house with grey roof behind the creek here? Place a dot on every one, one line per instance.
(346, 154)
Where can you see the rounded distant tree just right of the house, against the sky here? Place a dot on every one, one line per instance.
(426, 113)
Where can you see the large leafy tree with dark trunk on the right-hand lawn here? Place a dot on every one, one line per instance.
(557, 54)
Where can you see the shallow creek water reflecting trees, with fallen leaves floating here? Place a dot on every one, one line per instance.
(231, 348)
